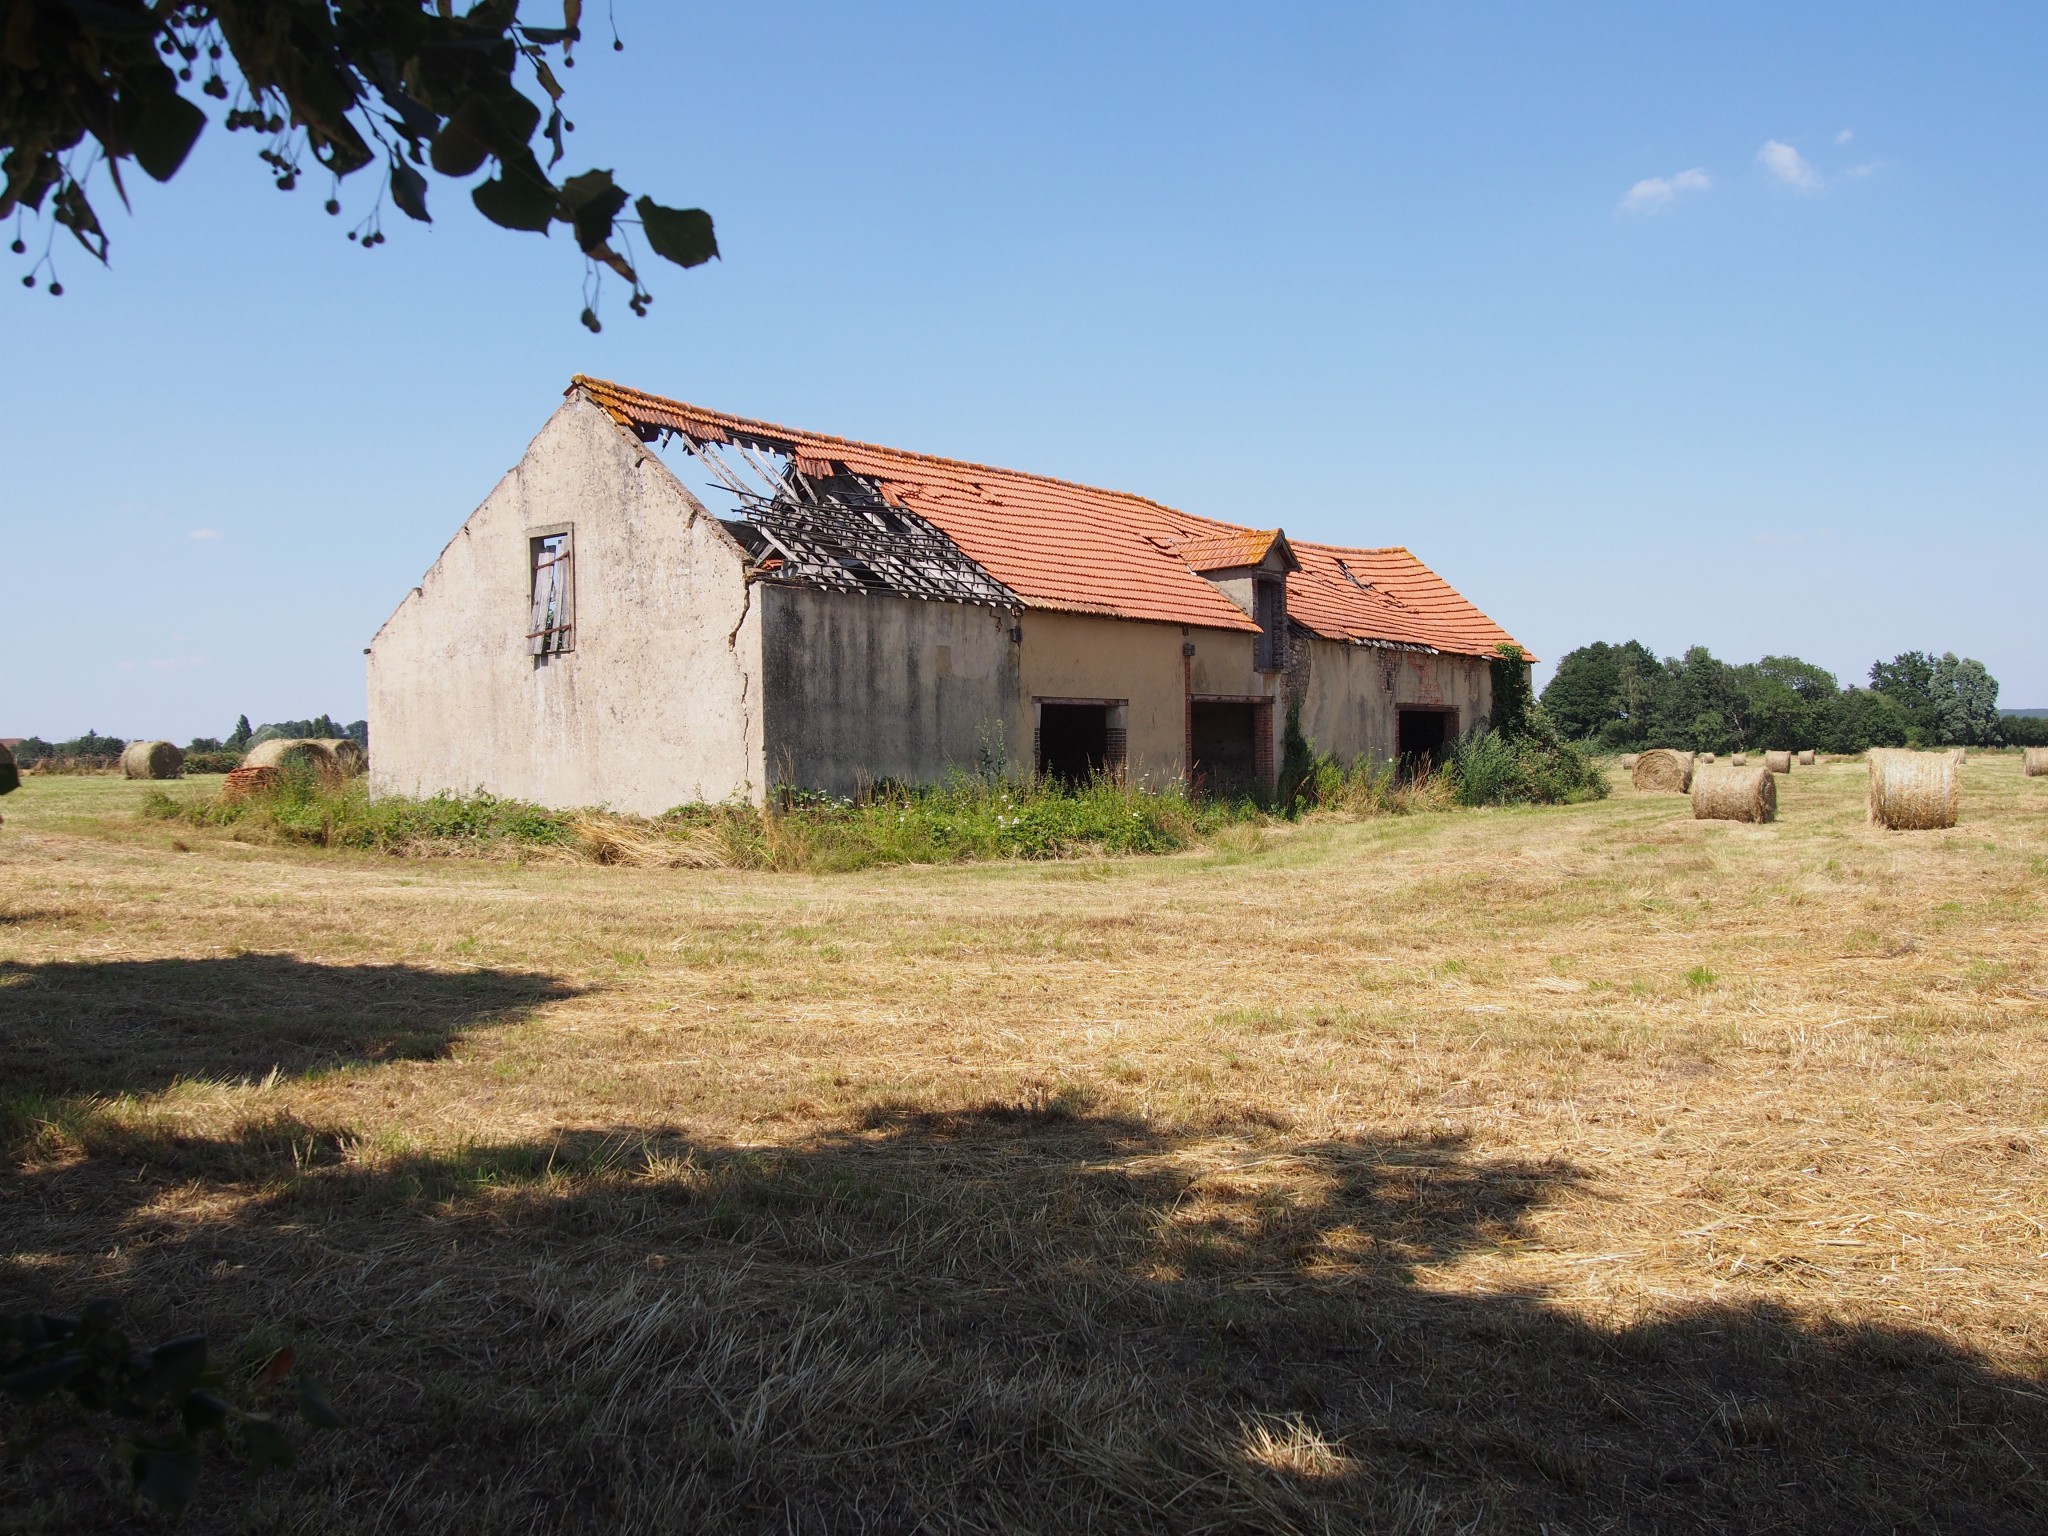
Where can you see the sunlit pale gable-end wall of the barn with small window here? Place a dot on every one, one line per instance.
(660, 699)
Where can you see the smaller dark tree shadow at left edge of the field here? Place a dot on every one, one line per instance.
(132, 1027)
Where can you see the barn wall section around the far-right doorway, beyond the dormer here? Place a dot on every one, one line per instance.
(1355, 691)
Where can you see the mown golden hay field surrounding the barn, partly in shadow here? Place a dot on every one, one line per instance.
(1574, 1170)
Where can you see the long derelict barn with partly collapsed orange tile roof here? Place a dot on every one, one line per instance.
(599, 636)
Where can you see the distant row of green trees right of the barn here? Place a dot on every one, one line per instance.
(1621, 697)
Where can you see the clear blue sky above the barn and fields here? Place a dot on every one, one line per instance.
(1697, 325)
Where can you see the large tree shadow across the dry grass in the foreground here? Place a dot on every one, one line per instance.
(1015, 1318)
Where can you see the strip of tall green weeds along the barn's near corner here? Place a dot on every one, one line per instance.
(955, 822)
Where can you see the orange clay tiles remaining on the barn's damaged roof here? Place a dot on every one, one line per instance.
(1082, 550)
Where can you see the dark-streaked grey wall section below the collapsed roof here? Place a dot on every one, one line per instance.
(869, 687)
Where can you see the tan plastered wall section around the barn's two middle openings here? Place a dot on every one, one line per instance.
(1080, 656)
